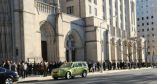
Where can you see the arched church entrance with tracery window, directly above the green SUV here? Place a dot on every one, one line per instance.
(73, 46)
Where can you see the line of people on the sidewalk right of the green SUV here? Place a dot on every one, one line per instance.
(107, 65)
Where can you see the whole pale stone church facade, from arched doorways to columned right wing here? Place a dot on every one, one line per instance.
(37, 31)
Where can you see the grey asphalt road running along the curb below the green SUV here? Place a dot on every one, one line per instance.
(143, 76)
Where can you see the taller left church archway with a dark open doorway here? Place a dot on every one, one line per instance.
(48, 45)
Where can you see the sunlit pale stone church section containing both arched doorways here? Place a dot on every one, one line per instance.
(49, 35)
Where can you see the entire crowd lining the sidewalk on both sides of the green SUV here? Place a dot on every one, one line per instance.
(44, 68)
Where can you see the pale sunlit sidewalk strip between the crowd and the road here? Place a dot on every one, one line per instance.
(41, 78)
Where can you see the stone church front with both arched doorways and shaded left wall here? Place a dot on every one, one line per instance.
(38, 33)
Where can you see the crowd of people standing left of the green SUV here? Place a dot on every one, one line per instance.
(25, 69)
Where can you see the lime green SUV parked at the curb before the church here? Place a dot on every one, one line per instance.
(70, 70)
